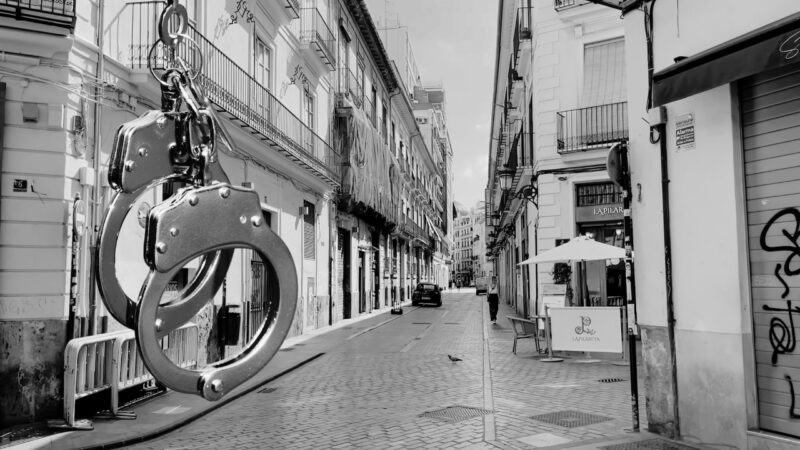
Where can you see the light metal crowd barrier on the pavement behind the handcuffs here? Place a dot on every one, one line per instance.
(111, 361)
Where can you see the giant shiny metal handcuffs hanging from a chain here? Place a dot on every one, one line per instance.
(208, 219)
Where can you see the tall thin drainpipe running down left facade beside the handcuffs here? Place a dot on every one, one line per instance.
(96, 198)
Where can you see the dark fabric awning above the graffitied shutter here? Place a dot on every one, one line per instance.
(768, 47)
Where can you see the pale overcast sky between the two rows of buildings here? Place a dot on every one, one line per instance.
(454, 42)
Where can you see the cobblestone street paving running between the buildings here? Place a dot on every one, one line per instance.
(372, 390)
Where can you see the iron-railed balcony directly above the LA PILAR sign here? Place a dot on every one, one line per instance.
(592, 127)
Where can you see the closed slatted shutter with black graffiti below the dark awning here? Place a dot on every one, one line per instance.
(771, 141)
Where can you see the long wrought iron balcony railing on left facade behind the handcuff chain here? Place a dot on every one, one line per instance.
(235, 92)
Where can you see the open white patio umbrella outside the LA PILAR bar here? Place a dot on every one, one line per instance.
(580, 249)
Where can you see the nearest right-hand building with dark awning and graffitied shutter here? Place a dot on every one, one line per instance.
(715, 277)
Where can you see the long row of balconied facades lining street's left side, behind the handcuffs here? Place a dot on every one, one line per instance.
(305, 89)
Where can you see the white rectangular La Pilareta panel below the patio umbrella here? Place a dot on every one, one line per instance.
(584, 329)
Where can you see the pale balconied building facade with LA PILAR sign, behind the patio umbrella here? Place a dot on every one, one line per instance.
(560, 104)
